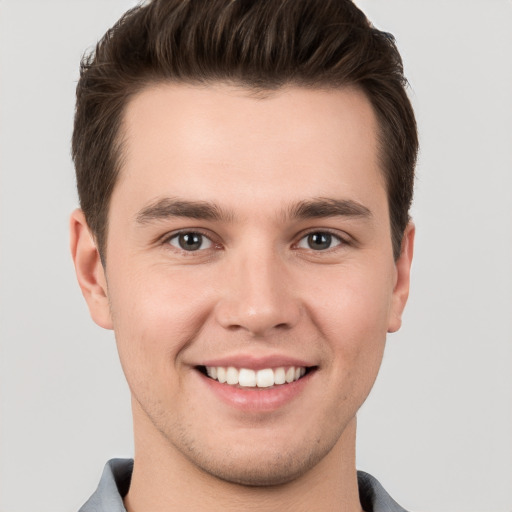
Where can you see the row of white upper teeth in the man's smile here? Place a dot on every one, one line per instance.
(264, 378)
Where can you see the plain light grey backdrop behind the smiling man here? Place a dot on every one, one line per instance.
(437, 428)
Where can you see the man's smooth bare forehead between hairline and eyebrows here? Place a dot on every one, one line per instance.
(220, 140)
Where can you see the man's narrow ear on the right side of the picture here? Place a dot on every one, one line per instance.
(403, 274)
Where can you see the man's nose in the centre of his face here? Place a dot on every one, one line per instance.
(258, 296)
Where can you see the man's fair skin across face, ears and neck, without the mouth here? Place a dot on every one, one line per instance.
(256, 287)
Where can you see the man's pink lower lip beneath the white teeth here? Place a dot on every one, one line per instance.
(257, 399)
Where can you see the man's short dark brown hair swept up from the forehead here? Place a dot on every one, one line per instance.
(259, 44)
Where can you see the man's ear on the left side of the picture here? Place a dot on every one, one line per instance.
(89, 269)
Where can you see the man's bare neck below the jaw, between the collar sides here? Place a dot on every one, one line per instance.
(164, 480)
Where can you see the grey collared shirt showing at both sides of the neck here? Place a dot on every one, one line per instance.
(115, 482)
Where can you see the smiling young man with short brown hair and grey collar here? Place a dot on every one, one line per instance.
(245, 172)
